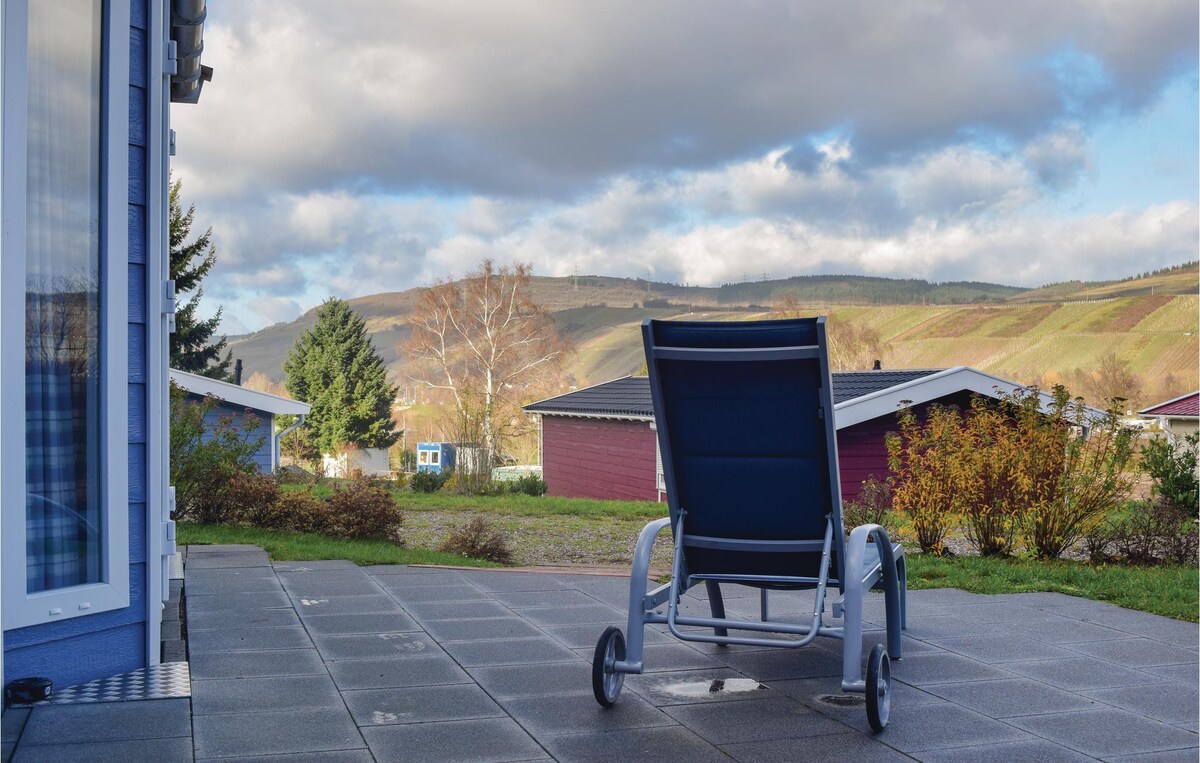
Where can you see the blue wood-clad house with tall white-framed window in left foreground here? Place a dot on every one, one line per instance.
(87, 305)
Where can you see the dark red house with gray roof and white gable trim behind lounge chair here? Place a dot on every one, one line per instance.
(601, 442)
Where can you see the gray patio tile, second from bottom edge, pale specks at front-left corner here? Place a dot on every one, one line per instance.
(375, 707)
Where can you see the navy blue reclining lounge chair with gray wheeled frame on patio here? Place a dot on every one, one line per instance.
(745, 417)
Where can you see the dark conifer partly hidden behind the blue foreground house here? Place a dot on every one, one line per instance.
(193, 349)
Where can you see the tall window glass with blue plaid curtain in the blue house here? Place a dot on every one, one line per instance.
(63, 297)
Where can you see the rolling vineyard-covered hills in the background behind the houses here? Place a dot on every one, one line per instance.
(1022, 334)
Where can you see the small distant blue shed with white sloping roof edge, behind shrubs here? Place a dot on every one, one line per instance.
(253, 412)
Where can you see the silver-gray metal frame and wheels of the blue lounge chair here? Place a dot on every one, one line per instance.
(869, 560)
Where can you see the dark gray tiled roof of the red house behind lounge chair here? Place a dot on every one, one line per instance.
(632, 396)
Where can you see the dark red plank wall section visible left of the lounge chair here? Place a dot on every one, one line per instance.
(598, 459)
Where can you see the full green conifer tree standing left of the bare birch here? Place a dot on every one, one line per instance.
(335, 368)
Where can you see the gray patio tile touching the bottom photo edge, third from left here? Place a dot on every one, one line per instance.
(466, 742)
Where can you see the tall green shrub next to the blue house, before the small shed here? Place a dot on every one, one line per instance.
(207, 456)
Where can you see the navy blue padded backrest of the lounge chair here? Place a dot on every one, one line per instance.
(745, 416)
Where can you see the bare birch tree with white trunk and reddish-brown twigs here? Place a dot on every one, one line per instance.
(485, 343)
